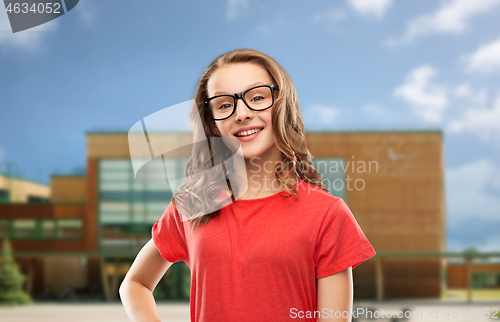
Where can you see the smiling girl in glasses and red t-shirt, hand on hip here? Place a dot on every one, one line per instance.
(280, 249)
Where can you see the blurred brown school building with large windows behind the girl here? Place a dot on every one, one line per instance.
(86, 237)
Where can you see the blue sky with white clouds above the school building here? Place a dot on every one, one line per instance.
(380, 64)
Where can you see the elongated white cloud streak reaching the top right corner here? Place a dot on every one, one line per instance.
(452, 17)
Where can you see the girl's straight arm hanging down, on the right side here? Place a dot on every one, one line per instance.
(335, 293)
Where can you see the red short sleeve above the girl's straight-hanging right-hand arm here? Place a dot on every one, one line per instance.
(341, 243)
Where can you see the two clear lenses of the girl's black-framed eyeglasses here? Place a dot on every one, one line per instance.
(258, 99)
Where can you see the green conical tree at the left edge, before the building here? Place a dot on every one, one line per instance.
(11, 279)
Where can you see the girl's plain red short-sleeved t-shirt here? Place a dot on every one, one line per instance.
(258, 260)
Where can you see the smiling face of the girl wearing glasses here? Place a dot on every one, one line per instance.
(235, 78)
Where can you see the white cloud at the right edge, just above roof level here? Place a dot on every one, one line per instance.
(482, 121)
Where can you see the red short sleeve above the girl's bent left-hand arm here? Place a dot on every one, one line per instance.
(169, 236)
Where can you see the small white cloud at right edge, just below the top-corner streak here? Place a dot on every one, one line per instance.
(486, 59)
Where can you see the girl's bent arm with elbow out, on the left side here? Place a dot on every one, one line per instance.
(136, 290)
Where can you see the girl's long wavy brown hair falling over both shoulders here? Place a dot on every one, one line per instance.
(289, 135)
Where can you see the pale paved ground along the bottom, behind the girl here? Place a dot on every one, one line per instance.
(421, 311)
